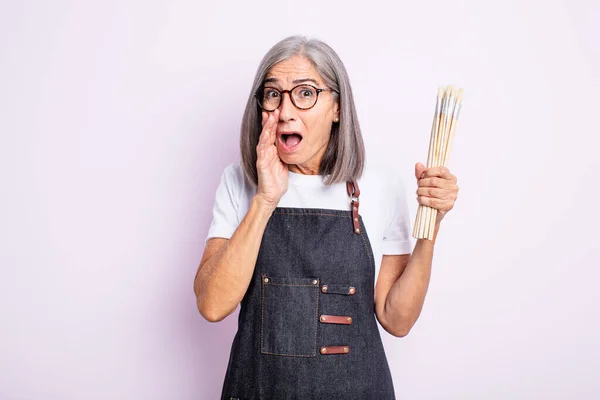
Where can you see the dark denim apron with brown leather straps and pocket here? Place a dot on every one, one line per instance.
(307, 327)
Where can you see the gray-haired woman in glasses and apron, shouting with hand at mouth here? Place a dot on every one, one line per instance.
(289, 240)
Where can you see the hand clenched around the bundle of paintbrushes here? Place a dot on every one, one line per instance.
(437, 188)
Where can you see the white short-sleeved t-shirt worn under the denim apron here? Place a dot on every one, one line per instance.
(383, 206)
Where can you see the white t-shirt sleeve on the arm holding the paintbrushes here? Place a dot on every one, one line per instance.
(397, 234)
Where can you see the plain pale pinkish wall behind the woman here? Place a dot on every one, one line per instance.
(117, 119)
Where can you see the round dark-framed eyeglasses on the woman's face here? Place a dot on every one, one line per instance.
(304, 97)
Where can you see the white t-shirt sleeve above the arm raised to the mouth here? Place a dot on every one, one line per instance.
(225, 216)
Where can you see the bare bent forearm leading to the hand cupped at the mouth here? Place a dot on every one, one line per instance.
(223, 279)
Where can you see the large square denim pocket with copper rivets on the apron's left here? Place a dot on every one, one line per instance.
(289, 316)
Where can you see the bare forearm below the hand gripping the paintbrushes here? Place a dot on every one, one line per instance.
(405, 299)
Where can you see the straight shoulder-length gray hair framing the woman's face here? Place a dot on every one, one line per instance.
(344, 158)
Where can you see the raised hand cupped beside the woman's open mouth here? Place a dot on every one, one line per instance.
(272, 171)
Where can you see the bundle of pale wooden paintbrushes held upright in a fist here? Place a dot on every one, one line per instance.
(447, 108)
